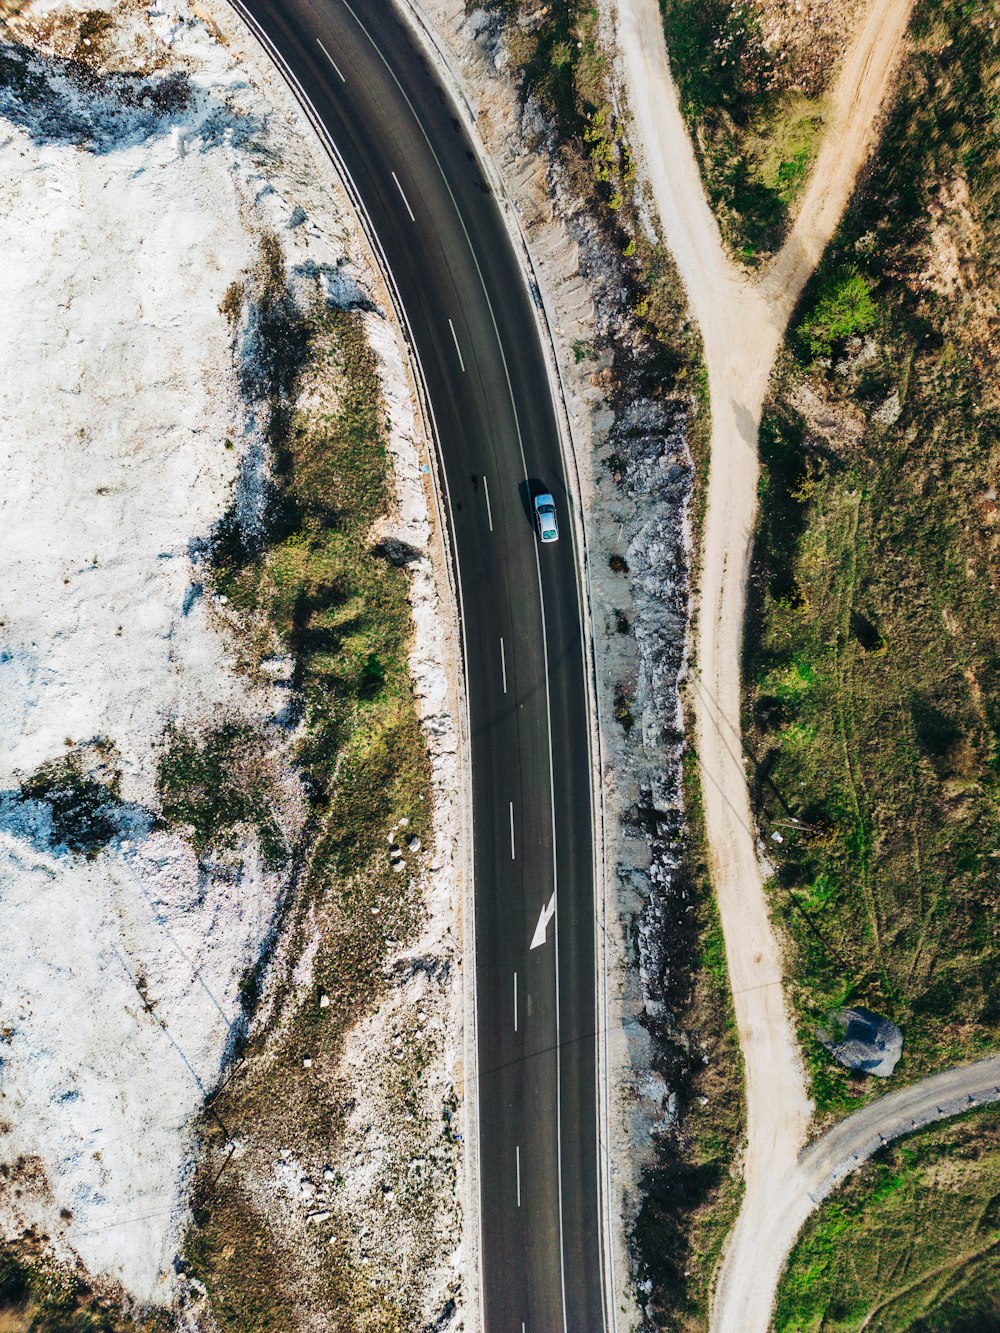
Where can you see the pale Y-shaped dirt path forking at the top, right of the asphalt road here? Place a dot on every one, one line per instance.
(743, 323)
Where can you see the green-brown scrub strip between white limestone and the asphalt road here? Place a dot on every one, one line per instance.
(315, 594)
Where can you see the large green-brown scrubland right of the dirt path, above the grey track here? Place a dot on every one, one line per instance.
(873, 654)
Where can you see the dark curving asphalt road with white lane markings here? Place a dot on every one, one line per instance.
(474, 330)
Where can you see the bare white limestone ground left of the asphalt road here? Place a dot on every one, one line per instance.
(123, 222)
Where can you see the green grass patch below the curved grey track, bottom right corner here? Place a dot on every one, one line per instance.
(910, 1244)
